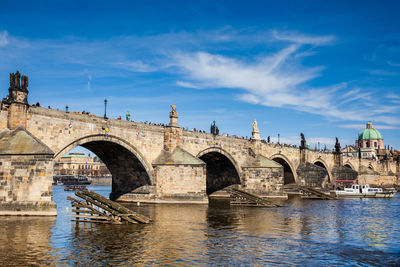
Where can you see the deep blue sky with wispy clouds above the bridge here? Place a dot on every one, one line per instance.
(323, 68)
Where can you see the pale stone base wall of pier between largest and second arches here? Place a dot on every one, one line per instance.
(182, 181)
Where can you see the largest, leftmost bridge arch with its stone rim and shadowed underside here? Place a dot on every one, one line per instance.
(128, 166)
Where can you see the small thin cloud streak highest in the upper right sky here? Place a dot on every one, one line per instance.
(302, 38)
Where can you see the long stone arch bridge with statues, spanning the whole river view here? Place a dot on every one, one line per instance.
(157, 163)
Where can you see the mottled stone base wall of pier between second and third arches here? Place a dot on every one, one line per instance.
(263, 181)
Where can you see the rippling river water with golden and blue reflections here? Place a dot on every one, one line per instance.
(359, 232)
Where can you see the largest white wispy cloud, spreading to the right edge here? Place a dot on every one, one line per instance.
(278, 80)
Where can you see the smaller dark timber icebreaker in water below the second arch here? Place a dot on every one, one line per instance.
(241, 197)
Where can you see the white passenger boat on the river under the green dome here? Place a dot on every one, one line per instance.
(363, 191)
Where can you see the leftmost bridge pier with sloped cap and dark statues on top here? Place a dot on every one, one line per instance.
(26, 164)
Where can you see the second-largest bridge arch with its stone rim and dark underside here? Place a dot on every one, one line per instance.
(221, 170)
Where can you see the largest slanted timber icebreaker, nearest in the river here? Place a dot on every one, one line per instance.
(97, 209)
